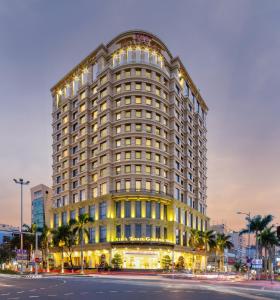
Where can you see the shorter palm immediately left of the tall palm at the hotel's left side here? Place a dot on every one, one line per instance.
(64, 239)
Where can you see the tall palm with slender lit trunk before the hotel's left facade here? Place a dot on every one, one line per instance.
(80, 229)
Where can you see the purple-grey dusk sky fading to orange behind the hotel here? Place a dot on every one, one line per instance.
(230, 48)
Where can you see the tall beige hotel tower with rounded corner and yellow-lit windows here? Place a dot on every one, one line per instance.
(129, 149)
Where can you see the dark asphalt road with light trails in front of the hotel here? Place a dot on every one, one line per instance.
(124, 288)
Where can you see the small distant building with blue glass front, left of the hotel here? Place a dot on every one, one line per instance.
(40, 205)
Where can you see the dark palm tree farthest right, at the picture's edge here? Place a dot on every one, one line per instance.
(268, 240)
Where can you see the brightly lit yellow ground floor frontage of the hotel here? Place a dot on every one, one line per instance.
(153, 257)
